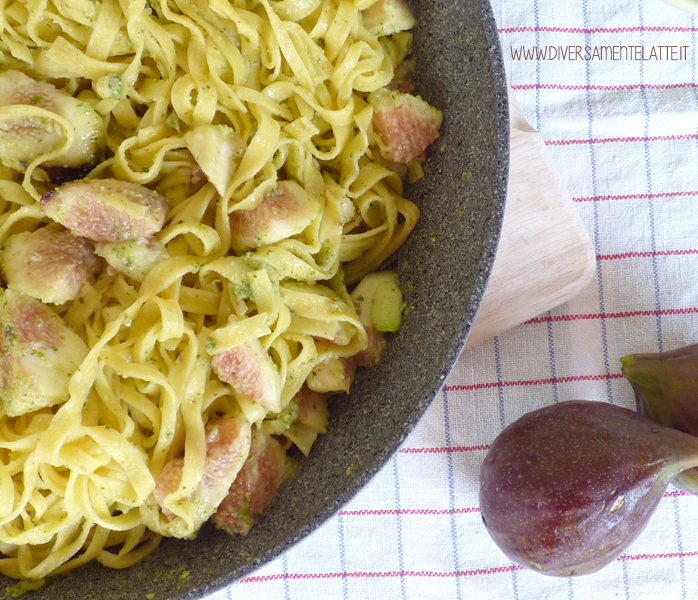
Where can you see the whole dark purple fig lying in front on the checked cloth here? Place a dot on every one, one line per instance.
(565, 489)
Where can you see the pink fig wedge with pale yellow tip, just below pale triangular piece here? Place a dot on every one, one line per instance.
(283, 213)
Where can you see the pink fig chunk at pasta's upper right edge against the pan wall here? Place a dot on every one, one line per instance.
(405, 124)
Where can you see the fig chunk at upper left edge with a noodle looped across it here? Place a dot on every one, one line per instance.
(27, 137)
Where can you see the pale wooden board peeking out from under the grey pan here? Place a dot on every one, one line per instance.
(545, 256)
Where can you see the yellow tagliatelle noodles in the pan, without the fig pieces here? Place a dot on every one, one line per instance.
(291, 80)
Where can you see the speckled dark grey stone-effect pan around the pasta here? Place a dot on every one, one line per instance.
(445, 265)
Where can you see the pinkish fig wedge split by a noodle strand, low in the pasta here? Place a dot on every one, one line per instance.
(227, 446)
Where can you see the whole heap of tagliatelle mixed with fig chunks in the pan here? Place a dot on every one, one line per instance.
(253, 120)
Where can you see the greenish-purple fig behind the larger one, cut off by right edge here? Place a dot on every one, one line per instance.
(666, 391)
